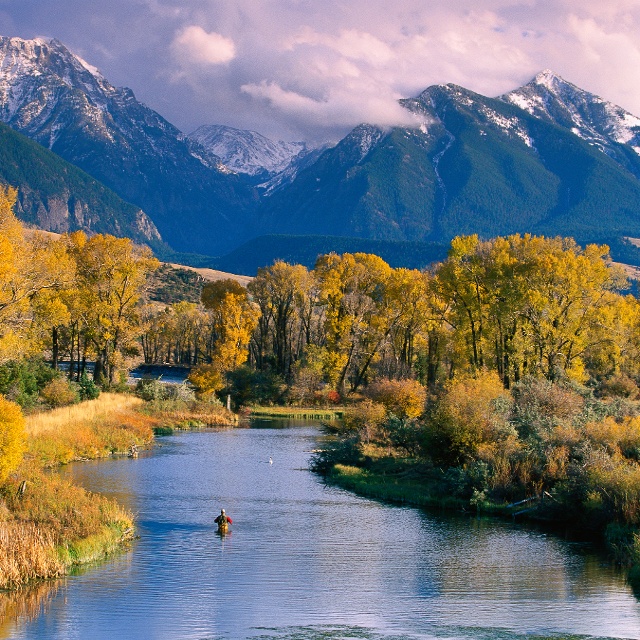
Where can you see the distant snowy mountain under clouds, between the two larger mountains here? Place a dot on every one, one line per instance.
(248, 152)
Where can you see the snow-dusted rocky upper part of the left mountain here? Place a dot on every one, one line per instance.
(45, 90)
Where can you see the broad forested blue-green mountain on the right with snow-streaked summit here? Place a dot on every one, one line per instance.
(472, 164)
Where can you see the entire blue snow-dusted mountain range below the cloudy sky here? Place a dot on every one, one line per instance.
(546, 158)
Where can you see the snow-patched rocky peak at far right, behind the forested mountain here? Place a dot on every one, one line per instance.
(597, 121)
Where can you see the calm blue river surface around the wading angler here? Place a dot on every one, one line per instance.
(309, 561)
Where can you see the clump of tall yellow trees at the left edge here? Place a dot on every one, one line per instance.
(71, 297)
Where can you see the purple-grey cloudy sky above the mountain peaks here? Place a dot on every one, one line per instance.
(313, 69)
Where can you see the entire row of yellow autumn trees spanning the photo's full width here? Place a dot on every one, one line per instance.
(519, 306)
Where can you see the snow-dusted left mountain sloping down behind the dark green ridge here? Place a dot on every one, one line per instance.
(56, 98)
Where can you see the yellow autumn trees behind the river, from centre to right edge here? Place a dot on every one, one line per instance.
(520, 306)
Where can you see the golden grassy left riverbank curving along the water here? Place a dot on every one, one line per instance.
(47, 525)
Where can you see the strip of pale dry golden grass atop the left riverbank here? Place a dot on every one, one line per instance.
(91, 411)
